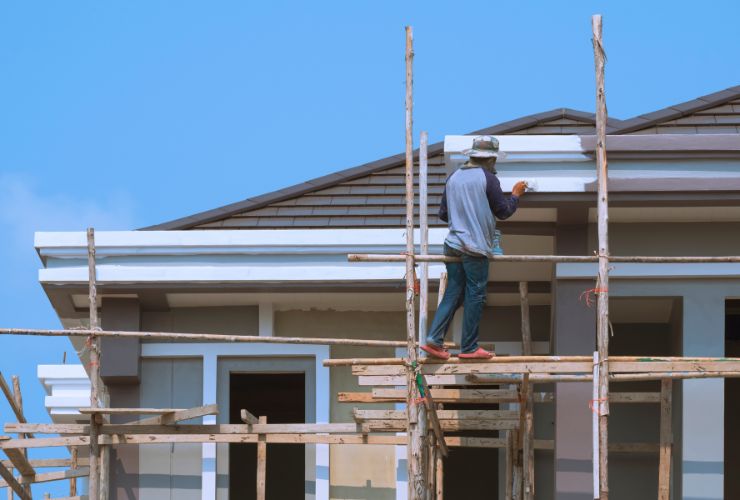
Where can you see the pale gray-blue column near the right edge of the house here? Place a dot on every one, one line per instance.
(702, 412)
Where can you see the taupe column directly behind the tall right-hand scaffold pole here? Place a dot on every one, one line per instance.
(574, 333)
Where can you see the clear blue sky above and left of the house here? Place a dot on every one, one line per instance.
(125, 114)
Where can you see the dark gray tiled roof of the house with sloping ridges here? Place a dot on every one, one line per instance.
(372, 195)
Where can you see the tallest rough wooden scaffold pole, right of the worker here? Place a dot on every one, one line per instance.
(602, 286)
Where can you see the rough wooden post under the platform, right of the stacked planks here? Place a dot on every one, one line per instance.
(528, 398)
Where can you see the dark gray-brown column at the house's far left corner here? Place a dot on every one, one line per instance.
(120, 370)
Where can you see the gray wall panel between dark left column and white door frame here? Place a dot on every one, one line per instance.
(171, 471)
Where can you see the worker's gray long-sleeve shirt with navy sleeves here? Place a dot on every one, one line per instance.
(471, 199)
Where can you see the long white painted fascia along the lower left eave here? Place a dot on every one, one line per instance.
(226, 256)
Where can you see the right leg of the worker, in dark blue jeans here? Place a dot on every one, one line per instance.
(476, 281)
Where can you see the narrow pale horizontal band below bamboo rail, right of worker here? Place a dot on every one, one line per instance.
(646, 270)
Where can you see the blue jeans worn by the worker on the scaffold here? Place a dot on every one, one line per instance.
(466, 286)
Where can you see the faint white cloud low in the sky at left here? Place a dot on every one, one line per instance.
(24, 209)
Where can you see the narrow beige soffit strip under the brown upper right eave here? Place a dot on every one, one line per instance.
(669, 214)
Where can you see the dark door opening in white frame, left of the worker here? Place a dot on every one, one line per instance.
(281, 398)
